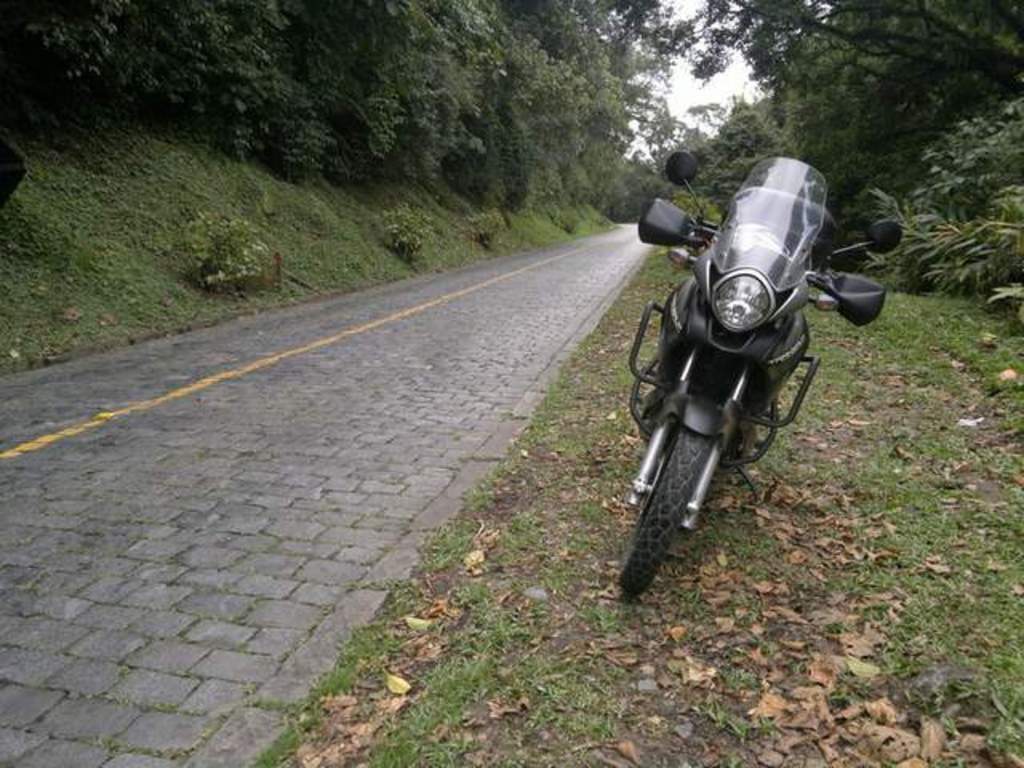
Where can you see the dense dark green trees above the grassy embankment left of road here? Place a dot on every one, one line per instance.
(510, 102)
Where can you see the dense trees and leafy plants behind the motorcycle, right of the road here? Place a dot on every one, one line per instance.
(922, 100)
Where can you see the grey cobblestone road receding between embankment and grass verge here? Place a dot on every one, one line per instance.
(169, 574)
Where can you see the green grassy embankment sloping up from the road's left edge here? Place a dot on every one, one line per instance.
(91, 243)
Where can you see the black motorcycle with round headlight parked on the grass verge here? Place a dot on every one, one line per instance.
(732, 337)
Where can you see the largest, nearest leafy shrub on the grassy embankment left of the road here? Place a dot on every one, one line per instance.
(226, 254)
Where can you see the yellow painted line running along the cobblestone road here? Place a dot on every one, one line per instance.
(199, 386)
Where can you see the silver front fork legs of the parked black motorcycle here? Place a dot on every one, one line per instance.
(654, 460)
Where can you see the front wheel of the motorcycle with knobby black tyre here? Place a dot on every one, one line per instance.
(658, 526)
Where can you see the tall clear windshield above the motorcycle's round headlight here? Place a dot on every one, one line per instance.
(773, 223)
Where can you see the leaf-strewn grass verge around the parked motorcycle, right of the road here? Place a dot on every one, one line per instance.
(883, 548)
